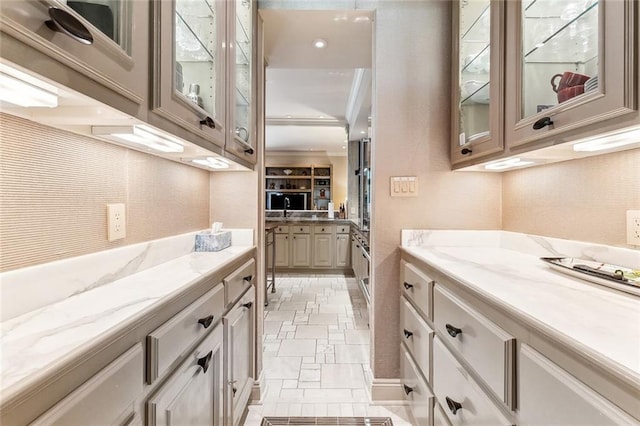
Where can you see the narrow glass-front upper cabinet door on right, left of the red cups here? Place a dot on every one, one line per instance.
(477, 105)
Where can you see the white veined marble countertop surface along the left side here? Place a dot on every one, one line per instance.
(39, 342)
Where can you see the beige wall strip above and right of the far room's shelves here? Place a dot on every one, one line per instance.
(339, 169)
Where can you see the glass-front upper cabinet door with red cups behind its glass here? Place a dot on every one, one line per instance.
(570, 65)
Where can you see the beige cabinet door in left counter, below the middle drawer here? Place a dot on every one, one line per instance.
(194, 393)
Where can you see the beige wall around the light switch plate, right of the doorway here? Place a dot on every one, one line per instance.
(411, 136)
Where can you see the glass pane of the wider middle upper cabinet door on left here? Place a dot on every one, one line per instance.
(196, 52)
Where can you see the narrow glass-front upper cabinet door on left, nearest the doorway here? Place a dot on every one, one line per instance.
(241, 138)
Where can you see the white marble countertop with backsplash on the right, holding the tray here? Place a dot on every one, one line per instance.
(505, 268)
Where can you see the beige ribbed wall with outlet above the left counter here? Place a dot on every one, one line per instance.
(54, 187)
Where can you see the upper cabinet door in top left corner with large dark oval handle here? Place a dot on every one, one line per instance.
(105, 40)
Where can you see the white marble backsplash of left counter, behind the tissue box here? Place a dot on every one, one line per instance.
(27, 289)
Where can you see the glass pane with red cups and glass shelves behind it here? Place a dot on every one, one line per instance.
(560, 52)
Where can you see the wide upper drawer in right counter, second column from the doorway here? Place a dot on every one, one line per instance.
(488, 349)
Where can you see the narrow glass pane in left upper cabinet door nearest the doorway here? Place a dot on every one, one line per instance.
(243, 24)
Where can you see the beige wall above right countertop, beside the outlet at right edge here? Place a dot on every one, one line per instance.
(584, 199)
